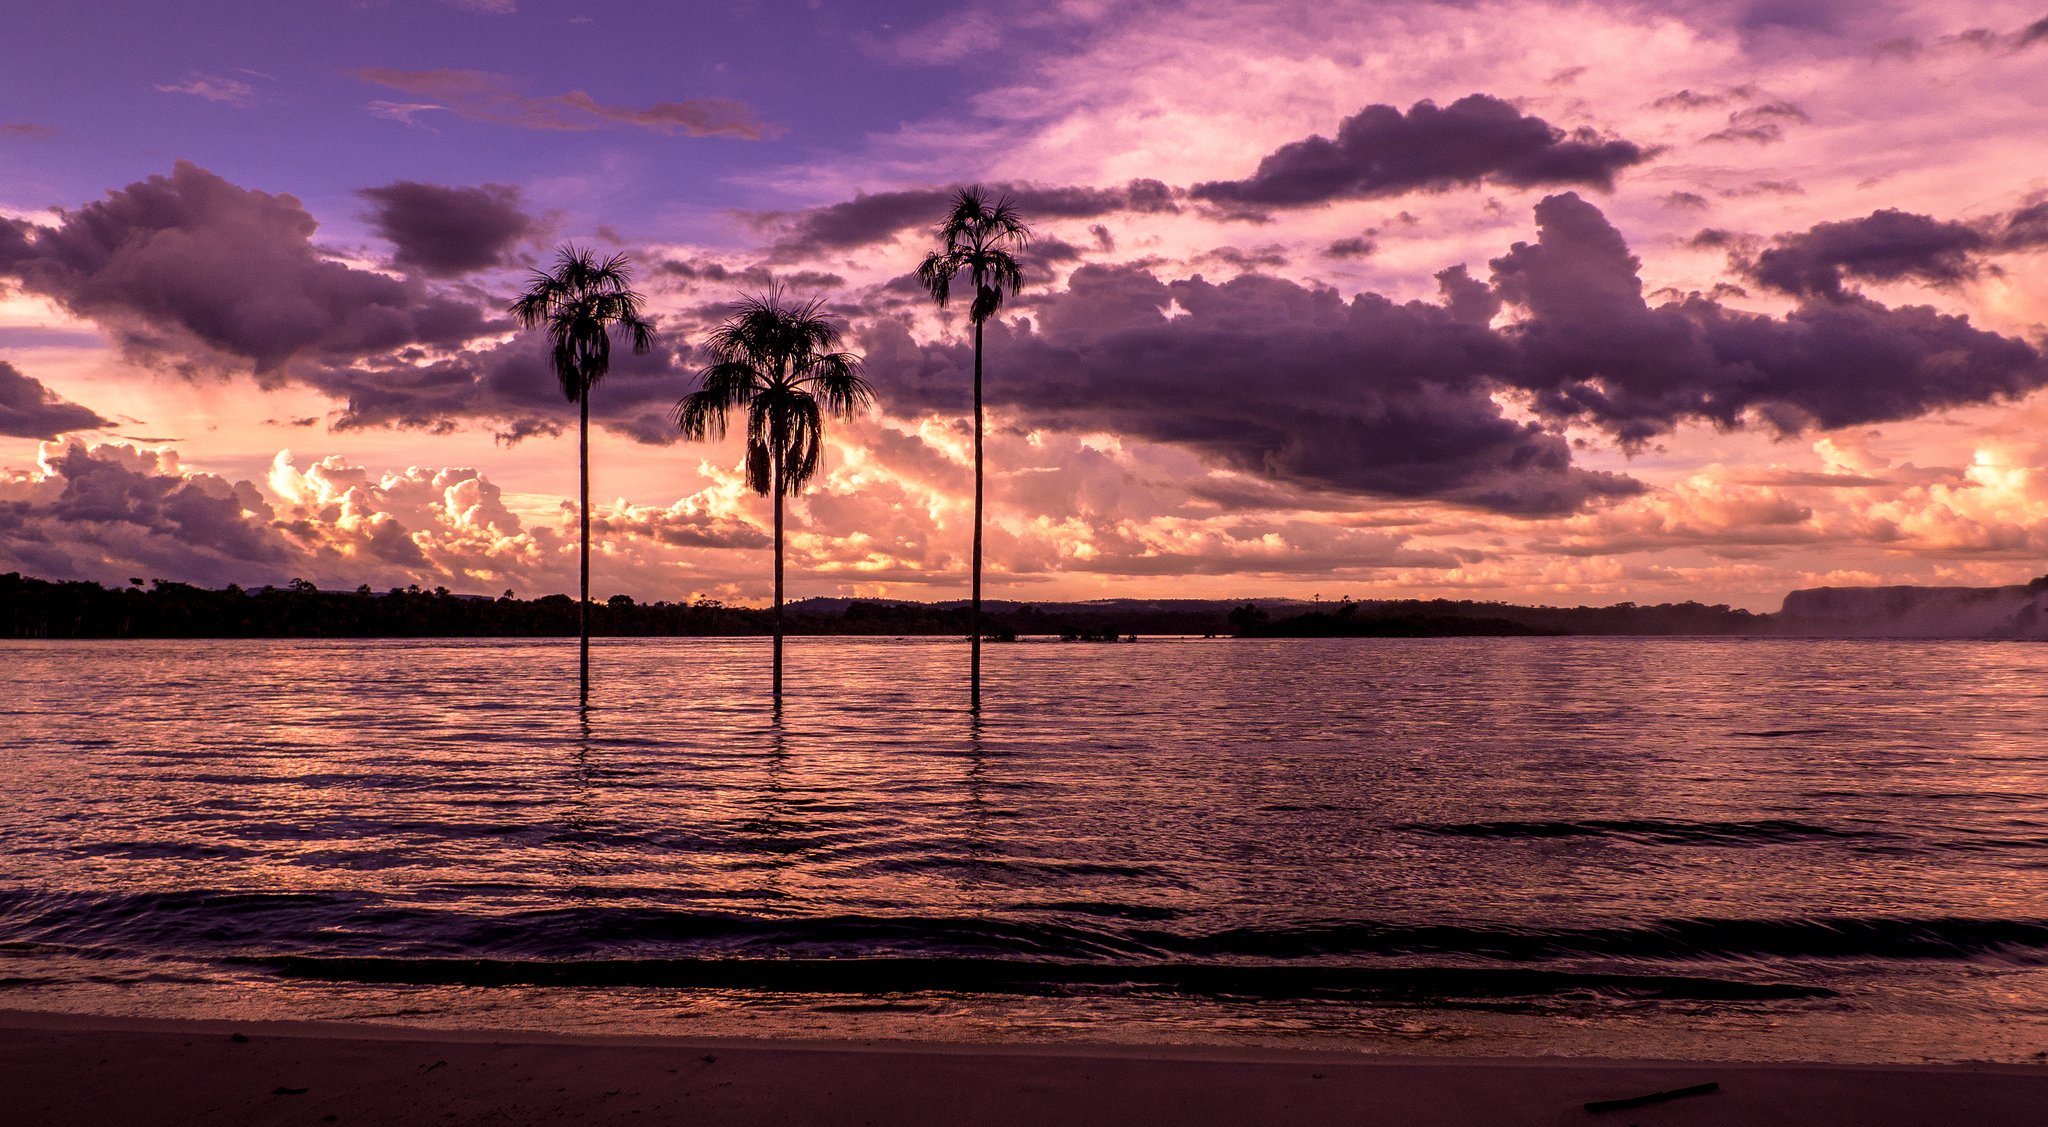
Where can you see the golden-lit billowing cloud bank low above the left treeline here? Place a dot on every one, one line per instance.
(116, 511)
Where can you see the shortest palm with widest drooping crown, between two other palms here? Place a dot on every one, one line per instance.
(777, 362)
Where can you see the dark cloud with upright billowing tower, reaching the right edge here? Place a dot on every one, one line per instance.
(1592, 349)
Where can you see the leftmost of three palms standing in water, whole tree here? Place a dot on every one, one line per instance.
(581, 304)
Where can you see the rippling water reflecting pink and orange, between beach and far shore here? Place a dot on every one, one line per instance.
(1619, 847)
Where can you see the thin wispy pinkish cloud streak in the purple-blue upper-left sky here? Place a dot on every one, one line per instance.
(490, 97)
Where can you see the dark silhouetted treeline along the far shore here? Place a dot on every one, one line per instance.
(34, 608)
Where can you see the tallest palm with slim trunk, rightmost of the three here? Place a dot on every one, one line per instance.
(980, 241)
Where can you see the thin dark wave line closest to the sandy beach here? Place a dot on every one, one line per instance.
(1023, 976)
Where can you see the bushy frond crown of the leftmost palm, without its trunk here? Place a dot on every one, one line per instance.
(581, 304)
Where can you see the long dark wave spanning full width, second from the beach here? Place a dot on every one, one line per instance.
(216, 923)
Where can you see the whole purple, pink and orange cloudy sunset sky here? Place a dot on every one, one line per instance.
(1517, 300)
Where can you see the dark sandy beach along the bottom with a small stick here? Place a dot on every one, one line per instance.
(89, 1071)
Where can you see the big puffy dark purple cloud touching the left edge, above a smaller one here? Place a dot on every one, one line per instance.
(204, 274)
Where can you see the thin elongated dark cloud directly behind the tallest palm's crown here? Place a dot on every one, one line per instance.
(882, 216)
